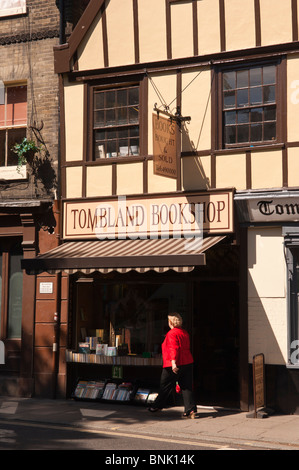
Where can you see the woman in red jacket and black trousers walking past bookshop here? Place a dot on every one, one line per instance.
(177, 367)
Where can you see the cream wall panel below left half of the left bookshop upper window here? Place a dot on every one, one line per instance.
(99, 181)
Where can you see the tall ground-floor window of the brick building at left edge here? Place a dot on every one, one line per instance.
(11, 292)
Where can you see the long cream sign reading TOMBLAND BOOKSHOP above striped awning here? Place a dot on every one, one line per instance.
(151, 217)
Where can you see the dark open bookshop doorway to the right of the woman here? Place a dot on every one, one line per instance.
(216, 343)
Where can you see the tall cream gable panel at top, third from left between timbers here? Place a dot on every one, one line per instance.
(152, 30)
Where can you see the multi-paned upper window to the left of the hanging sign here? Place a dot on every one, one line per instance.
(116, 122)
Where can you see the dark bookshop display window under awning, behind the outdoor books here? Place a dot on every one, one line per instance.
(130, 318)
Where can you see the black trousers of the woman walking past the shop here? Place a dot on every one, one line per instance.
(167, 383)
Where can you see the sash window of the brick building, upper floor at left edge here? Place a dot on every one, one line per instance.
(13, 122)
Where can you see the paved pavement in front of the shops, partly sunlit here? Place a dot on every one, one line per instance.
(226, 427)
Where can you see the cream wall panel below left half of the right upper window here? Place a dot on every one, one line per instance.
(231, 171)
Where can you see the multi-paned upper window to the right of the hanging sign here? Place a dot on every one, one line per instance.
(249, 106)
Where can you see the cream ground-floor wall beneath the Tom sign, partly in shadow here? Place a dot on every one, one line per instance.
(267, 303)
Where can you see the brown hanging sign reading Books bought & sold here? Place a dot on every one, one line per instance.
(164, 146)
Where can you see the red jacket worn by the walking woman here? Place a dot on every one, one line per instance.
(176, 346)
